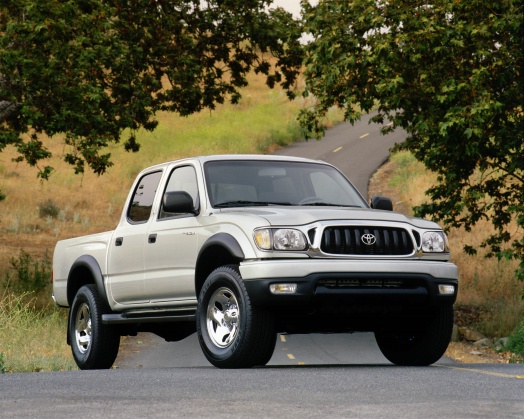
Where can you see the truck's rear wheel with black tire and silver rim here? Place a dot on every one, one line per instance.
(94, 344)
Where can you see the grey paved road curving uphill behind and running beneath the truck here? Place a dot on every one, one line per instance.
(335, 376)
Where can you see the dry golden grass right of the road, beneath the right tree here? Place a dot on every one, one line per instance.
(487, 284)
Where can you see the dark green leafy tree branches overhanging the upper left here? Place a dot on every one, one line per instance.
(86, 70)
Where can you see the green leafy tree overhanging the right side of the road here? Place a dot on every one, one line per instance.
(449, 72)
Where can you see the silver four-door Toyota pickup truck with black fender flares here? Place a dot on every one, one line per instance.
(239, 248)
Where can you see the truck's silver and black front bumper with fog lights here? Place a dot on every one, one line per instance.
(378, 283)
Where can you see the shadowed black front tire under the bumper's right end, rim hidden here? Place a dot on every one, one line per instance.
(420, 347)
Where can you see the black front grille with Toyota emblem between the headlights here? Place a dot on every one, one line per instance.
(380, 241)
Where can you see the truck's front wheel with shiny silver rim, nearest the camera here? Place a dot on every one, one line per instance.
(232, 333)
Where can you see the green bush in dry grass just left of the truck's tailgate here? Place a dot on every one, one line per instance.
(29, 275)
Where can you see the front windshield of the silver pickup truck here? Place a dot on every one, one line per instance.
(235, 183)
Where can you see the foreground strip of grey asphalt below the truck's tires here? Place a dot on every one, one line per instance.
(331, 391)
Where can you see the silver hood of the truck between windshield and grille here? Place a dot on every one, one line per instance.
(290, 216)
